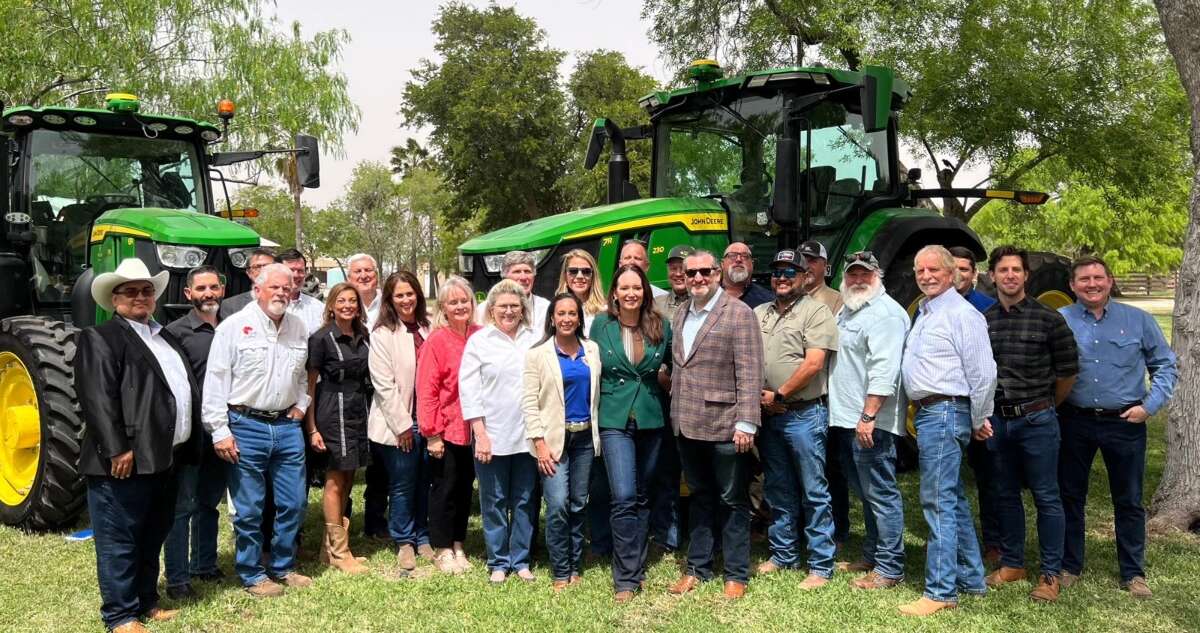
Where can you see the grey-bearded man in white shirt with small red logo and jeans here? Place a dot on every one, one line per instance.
(256, 393)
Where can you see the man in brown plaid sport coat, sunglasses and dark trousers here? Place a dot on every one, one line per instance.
(716, 390)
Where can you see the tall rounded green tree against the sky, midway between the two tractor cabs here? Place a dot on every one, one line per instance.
(495, 113)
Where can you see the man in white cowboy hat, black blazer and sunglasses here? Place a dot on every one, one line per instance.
(141, 409)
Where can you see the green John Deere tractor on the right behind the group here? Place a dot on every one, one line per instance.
(770, 159)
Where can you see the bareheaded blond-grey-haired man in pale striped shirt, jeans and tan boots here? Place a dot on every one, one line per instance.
(950, 373)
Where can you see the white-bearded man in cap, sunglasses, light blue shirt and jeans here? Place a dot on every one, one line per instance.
(867, 401)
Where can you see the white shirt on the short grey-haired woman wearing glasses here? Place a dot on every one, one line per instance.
(490, 385)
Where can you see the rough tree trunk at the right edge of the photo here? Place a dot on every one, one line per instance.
(1177, 504)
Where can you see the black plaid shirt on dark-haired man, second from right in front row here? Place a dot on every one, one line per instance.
(1034, 347)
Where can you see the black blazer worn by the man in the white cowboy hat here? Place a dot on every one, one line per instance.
(128, 403)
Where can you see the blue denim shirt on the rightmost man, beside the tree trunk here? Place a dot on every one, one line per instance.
(1115, 353)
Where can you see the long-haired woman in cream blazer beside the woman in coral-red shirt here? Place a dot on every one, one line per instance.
(397, 444)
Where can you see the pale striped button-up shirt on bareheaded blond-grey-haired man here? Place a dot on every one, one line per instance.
(949, 353)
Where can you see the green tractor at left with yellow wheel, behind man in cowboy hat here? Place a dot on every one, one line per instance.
(82, 190)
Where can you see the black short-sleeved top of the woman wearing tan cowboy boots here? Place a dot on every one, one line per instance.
(345, 390)
